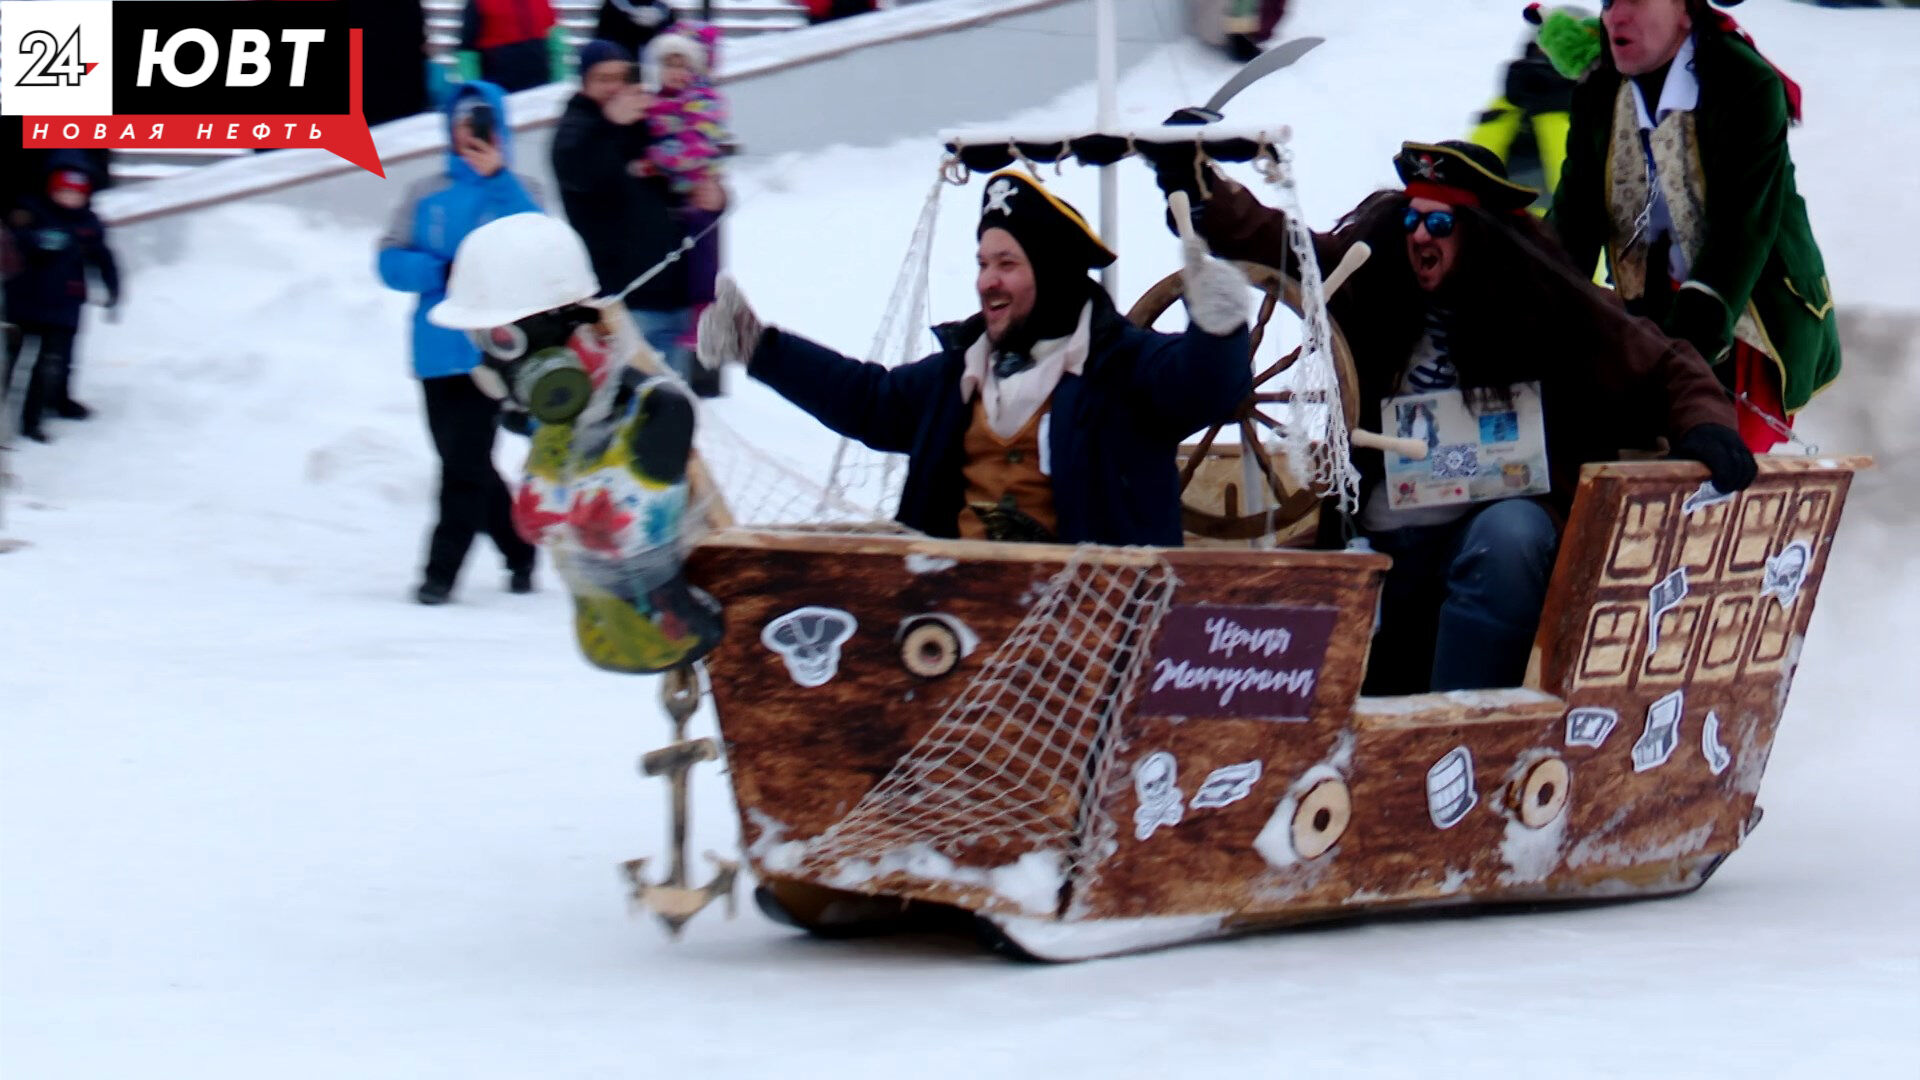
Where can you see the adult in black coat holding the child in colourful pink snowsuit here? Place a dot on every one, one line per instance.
(625, 218)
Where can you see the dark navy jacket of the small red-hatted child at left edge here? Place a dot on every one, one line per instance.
(55, 247)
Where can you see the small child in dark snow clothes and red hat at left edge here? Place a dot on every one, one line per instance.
(57, 237)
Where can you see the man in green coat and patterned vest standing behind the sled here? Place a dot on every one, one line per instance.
(1679, 168)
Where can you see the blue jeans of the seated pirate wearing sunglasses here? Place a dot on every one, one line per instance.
(1462, 602)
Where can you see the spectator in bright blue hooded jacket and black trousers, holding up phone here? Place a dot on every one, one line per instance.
(416, 257)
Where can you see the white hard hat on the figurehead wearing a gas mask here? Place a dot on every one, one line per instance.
(514, 268)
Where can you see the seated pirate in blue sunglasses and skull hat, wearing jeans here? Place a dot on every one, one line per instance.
(1466, 293)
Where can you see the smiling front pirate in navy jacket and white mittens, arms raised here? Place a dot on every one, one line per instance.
(1047, 416)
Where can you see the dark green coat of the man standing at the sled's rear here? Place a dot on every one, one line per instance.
(1756, 251)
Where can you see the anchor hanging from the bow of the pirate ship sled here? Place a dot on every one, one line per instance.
(675, 900)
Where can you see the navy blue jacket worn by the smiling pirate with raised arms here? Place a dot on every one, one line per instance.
(1115, 435)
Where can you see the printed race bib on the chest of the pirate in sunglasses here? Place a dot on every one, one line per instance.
(1495, 453)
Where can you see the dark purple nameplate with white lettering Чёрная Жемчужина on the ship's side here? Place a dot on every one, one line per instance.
(1237, 662)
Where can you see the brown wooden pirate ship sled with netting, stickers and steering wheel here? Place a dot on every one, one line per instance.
(1097, 750)
